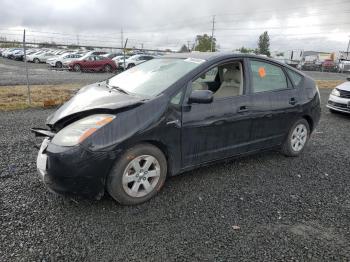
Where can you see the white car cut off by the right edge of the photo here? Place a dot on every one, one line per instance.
(339, 99)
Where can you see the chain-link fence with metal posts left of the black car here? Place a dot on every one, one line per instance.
(46, 74)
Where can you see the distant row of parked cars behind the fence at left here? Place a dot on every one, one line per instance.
(77, 60)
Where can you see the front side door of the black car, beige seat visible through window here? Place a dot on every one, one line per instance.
(222, 128)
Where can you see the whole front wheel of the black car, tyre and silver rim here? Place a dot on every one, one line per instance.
(138, 175)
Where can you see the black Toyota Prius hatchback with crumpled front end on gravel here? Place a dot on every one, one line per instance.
(169, 115)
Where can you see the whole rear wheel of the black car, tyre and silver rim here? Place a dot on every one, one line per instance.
(297, 138)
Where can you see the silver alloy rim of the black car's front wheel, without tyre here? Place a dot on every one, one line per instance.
(141, 176)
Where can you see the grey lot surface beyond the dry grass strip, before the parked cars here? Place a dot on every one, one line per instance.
(13, 73)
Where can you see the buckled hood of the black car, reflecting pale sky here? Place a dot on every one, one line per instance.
(95, 96)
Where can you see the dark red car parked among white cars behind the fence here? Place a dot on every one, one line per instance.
(93, 63)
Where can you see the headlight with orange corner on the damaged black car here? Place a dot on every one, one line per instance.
(78, 131)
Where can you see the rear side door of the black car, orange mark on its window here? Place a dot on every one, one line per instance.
(275, 103)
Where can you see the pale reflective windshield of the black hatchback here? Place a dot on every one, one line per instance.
(153, 77)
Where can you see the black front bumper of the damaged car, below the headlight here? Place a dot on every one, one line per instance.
(73, 170)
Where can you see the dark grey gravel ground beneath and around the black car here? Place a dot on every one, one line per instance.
(264, 207)
